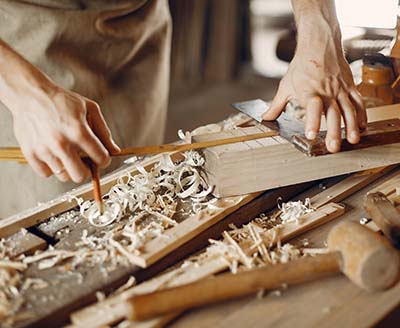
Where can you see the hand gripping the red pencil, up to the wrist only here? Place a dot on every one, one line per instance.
(51, 127)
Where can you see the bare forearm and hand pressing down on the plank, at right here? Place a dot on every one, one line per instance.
(319, 77)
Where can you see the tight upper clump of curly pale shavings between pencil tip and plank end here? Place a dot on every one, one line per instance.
(152, 193)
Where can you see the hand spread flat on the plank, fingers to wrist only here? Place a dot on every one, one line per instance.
(320, 81)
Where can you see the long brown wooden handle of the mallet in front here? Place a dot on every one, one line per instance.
(228, 286)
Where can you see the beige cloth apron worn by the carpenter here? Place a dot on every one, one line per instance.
(115, 52)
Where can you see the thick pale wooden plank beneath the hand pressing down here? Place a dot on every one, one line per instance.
(280, 165)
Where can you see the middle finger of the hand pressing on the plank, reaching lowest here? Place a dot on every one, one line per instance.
(333, 119)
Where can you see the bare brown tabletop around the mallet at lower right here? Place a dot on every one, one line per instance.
(331, 302)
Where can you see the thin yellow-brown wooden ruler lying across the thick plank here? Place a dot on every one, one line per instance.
(15, 153)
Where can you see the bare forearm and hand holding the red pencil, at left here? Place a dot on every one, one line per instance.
(50, 123)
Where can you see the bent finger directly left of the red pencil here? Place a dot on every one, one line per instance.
(73, 164)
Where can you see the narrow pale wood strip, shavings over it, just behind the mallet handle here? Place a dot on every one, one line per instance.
(116, 310)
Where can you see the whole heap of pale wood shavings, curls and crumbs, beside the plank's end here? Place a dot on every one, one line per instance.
(140, 208)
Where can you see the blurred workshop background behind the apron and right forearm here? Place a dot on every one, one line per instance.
(233, 50)
